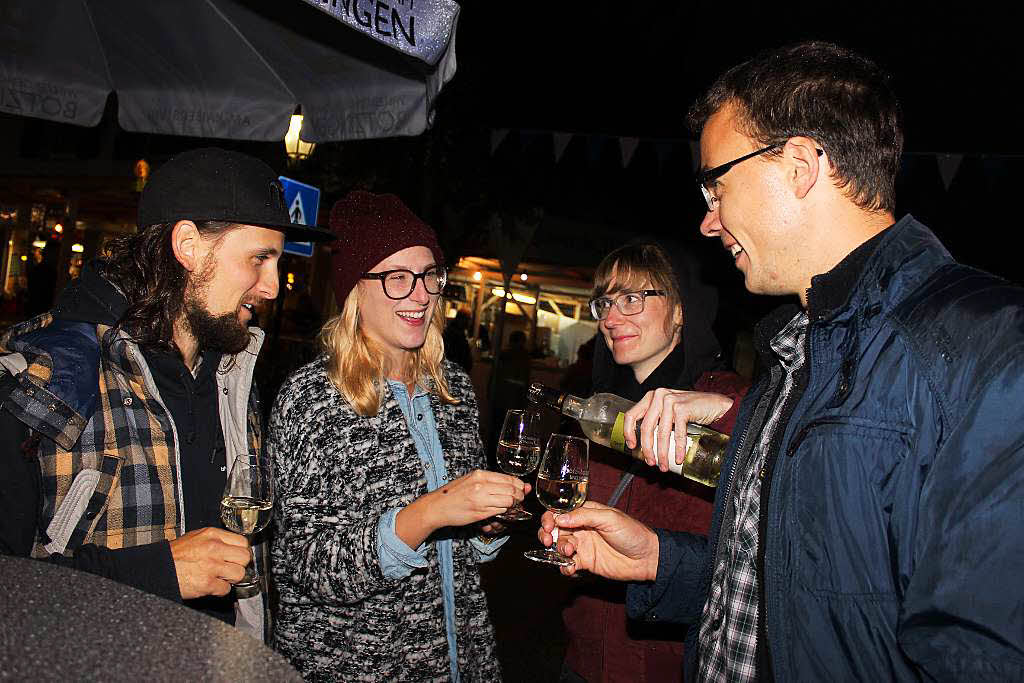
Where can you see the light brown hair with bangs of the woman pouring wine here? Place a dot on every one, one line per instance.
(633, 265)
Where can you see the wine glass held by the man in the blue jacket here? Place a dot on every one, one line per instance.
(562, 487)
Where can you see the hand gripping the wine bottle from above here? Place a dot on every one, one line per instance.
(671, 410)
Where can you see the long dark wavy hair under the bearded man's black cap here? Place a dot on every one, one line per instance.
(145, 269)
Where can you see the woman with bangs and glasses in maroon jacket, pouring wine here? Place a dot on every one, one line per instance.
(655, 331)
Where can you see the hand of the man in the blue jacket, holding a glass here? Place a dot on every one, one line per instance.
(606, 542)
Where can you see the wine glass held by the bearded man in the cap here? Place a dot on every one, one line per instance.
(247, 505)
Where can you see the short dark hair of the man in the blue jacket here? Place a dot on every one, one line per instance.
(841, 100)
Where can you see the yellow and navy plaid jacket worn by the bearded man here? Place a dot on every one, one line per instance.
(110, 476)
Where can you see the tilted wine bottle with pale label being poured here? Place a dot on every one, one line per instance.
(603, 420)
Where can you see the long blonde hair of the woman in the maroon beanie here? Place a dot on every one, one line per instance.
(359, 368)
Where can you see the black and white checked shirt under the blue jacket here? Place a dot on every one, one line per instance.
(729, 635)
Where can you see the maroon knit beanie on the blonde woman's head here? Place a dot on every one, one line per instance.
(371, 228)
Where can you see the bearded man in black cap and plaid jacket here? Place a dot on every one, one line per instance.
(121, 406)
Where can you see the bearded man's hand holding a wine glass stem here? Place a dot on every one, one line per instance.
(208, 562)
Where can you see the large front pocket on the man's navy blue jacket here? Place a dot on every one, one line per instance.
(846, 491)
